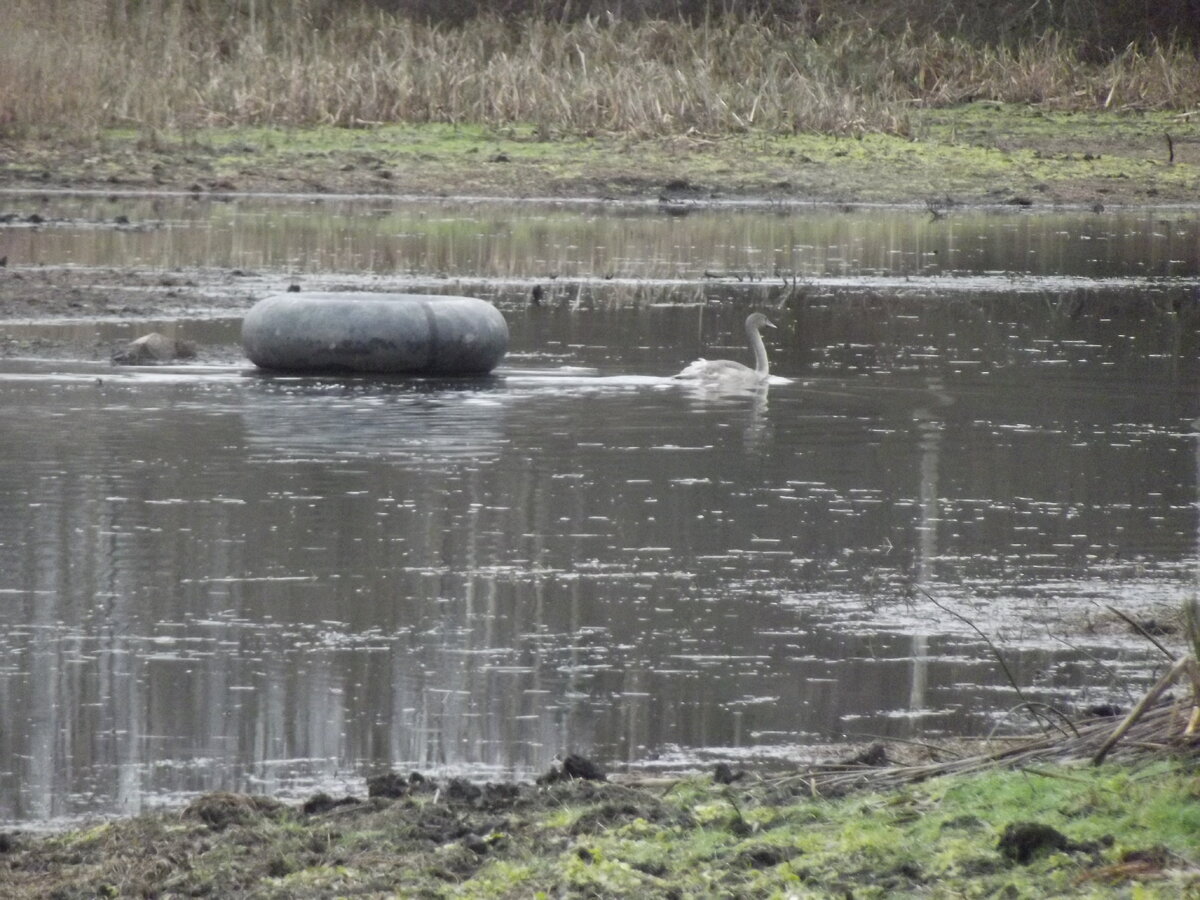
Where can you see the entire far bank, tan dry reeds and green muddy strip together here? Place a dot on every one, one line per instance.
(849, 104)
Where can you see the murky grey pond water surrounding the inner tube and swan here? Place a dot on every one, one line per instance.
(217, 579)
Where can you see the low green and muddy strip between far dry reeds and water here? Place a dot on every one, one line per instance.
(980, 153)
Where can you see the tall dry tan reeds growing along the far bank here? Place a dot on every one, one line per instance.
(80, 67)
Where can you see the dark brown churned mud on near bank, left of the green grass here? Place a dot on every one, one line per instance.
(226, 844)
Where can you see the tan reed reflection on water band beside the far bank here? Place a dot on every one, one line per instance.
(507, 242)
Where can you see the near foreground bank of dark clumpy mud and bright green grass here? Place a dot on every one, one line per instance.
(1115, 831)
